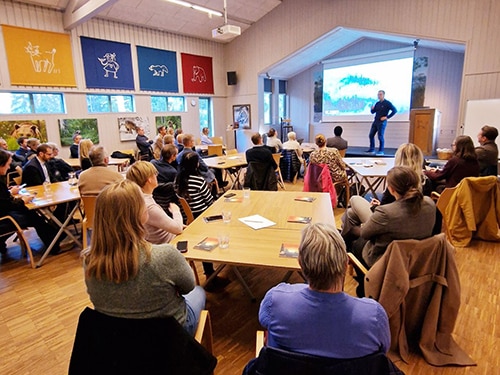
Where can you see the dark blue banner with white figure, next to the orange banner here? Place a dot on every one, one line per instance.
(107, 65)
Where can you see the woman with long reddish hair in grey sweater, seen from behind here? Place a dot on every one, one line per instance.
(128, 277)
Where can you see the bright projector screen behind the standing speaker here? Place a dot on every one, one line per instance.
(350, 85)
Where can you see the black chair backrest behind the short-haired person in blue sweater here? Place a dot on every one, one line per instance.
(279, 361)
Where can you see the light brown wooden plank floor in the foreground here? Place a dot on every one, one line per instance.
(39, 310)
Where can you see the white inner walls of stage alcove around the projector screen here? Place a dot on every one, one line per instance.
(444, 78)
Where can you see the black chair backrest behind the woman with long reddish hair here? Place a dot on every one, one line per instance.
(109, 345)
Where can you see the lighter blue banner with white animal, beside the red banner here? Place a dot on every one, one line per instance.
(157, 69)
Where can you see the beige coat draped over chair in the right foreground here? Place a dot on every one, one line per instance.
(418, 285)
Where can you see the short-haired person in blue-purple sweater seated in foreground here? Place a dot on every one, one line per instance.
(318, 318)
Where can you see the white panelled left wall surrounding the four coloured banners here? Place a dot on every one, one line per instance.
(34, 17)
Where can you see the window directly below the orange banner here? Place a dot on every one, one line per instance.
(19, 103)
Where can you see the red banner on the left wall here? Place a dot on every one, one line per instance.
(197, 74)
